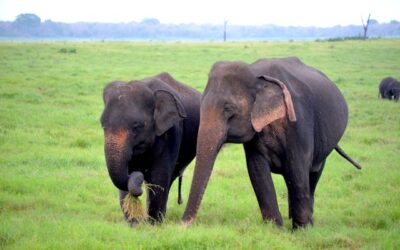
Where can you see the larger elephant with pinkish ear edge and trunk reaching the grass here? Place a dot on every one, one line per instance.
(288, 116)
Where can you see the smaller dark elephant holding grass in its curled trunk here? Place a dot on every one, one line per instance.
(150, 134)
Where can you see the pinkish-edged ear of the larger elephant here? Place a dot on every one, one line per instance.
(271, 103)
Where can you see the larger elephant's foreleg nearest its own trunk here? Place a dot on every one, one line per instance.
(261, 179)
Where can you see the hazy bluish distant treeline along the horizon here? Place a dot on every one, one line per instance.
(30, 26)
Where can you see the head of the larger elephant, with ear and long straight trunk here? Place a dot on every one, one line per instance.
(236, 104)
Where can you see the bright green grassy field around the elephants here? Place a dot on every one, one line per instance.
(55, 192)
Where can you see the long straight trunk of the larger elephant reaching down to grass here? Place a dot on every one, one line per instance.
(211, 136)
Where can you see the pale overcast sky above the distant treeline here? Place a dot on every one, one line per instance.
(322, 13)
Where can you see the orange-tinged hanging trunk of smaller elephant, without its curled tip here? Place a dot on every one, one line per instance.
(116, 157)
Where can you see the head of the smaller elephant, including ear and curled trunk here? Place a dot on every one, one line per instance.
(134, 115)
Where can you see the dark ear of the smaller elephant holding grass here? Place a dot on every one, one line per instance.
(168, 111)
